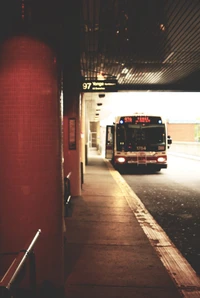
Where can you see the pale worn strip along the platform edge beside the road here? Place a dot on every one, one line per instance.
(177, 266)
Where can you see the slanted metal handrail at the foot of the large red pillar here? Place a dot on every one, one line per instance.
(8, 282)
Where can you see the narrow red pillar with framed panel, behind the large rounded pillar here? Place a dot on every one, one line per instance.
(71, 95)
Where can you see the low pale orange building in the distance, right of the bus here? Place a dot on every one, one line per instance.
(184, 130)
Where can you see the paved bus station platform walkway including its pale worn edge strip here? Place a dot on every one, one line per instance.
(114, 248)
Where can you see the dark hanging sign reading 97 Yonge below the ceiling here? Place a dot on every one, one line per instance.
(99, 86)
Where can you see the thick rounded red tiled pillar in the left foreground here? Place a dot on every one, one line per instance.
(31, 195)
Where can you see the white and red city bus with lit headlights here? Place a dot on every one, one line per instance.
(136, 141)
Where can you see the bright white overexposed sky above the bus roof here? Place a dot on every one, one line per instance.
(179, 106)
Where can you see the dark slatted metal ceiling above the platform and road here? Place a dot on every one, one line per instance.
(140, 42)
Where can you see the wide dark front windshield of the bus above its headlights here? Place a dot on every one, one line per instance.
(134, 137)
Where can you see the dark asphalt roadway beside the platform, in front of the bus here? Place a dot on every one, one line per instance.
(172, 196)
